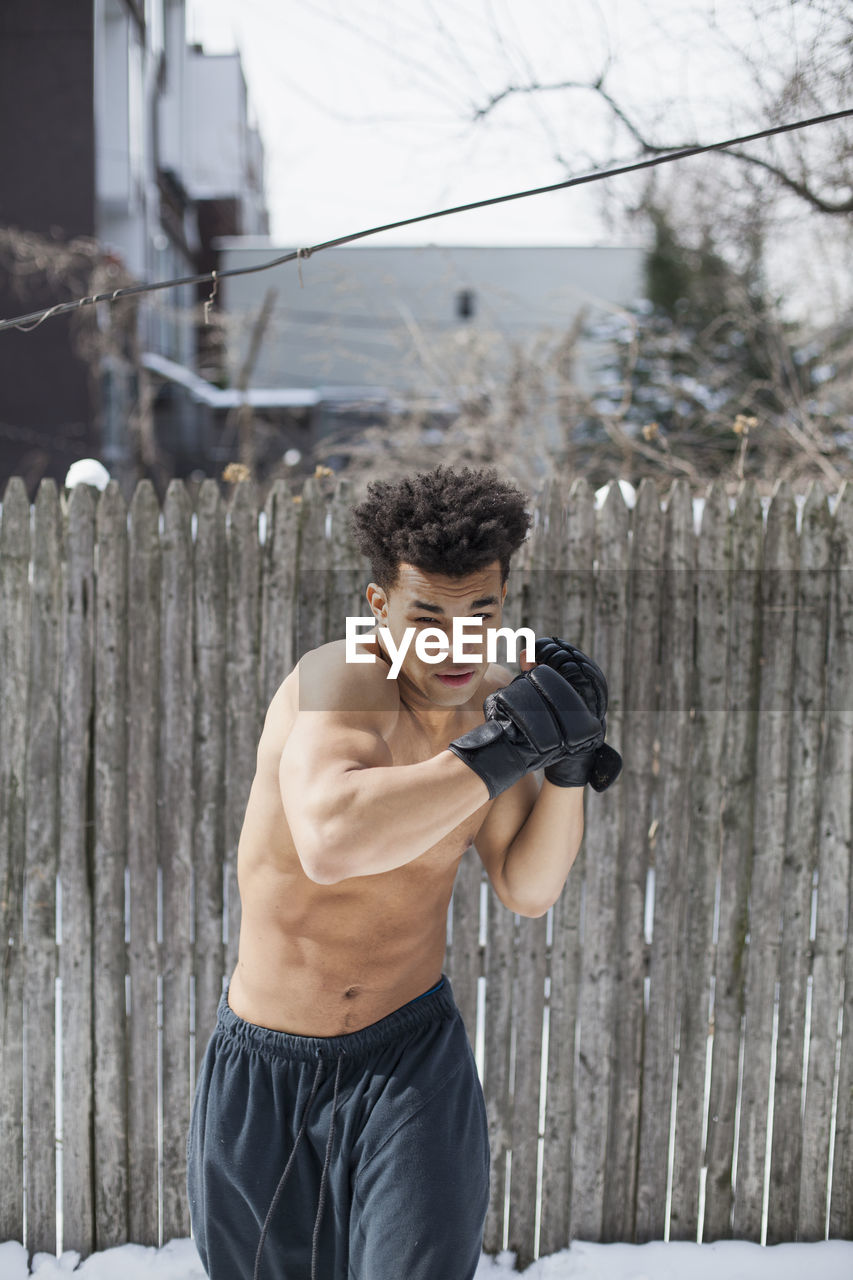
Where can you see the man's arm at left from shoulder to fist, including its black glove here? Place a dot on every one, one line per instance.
(354, 813)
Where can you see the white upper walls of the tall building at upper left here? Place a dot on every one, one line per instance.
(165, 109)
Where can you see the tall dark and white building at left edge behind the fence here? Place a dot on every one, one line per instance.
(127, 139)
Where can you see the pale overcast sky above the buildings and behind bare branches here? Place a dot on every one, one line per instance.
(368, 112)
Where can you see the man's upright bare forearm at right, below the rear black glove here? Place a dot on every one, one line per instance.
(542, 854)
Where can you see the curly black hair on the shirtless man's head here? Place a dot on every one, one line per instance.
(443, 522)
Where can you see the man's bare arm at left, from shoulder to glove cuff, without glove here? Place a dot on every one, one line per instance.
(352, 812)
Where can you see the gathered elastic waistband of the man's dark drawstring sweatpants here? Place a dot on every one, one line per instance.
(421, 1012)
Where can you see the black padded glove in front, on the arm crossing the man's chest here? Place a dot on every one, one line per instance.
(535, 721)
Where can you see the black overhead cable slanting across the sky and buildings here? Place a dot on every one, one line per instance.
(30, 322)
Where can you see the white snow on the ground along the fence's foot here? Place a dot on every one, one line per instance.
(724, 1260)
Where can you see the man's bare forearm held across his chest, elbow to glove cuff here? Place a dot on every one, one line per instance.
(385, 817)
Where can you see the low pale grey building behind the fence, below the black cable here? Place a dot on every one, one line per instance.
(363, 332)
